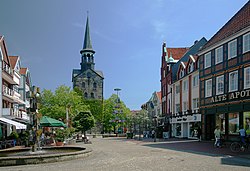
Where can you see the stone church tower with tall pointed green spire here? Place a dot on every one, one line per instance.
(87, 79)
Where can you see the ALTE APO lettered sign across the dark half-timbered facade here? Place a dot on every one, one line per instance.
(231, 96)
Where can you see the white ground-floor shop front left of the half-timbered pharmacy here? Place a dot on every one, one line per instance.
(185, 126)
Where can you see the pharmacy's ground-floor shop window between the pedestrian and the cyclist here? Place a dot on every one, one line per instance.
(233, 122)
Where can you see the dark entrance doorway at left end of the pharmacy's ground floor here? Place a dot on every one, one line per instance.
(209, 127)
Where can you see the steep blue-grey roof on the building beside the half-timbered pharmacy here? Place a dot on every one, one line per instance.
(192, 51)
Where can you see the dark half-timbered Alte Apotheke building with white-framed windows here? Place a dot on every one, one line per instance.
(225, 77)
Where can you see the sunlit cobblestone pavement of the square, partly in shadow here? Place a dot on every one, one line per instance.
(121, 154)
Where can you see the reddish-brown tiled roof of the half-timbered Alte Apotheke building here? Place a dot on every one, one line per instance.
(238, 22)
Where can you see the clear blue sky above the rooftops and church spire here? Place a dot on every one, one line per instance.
(126, 35)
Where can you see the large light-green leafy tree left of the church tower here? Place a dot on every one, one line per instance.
(55, 104)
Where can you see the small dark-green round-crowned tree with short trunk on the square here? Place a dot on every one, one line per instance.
(84, 121)
